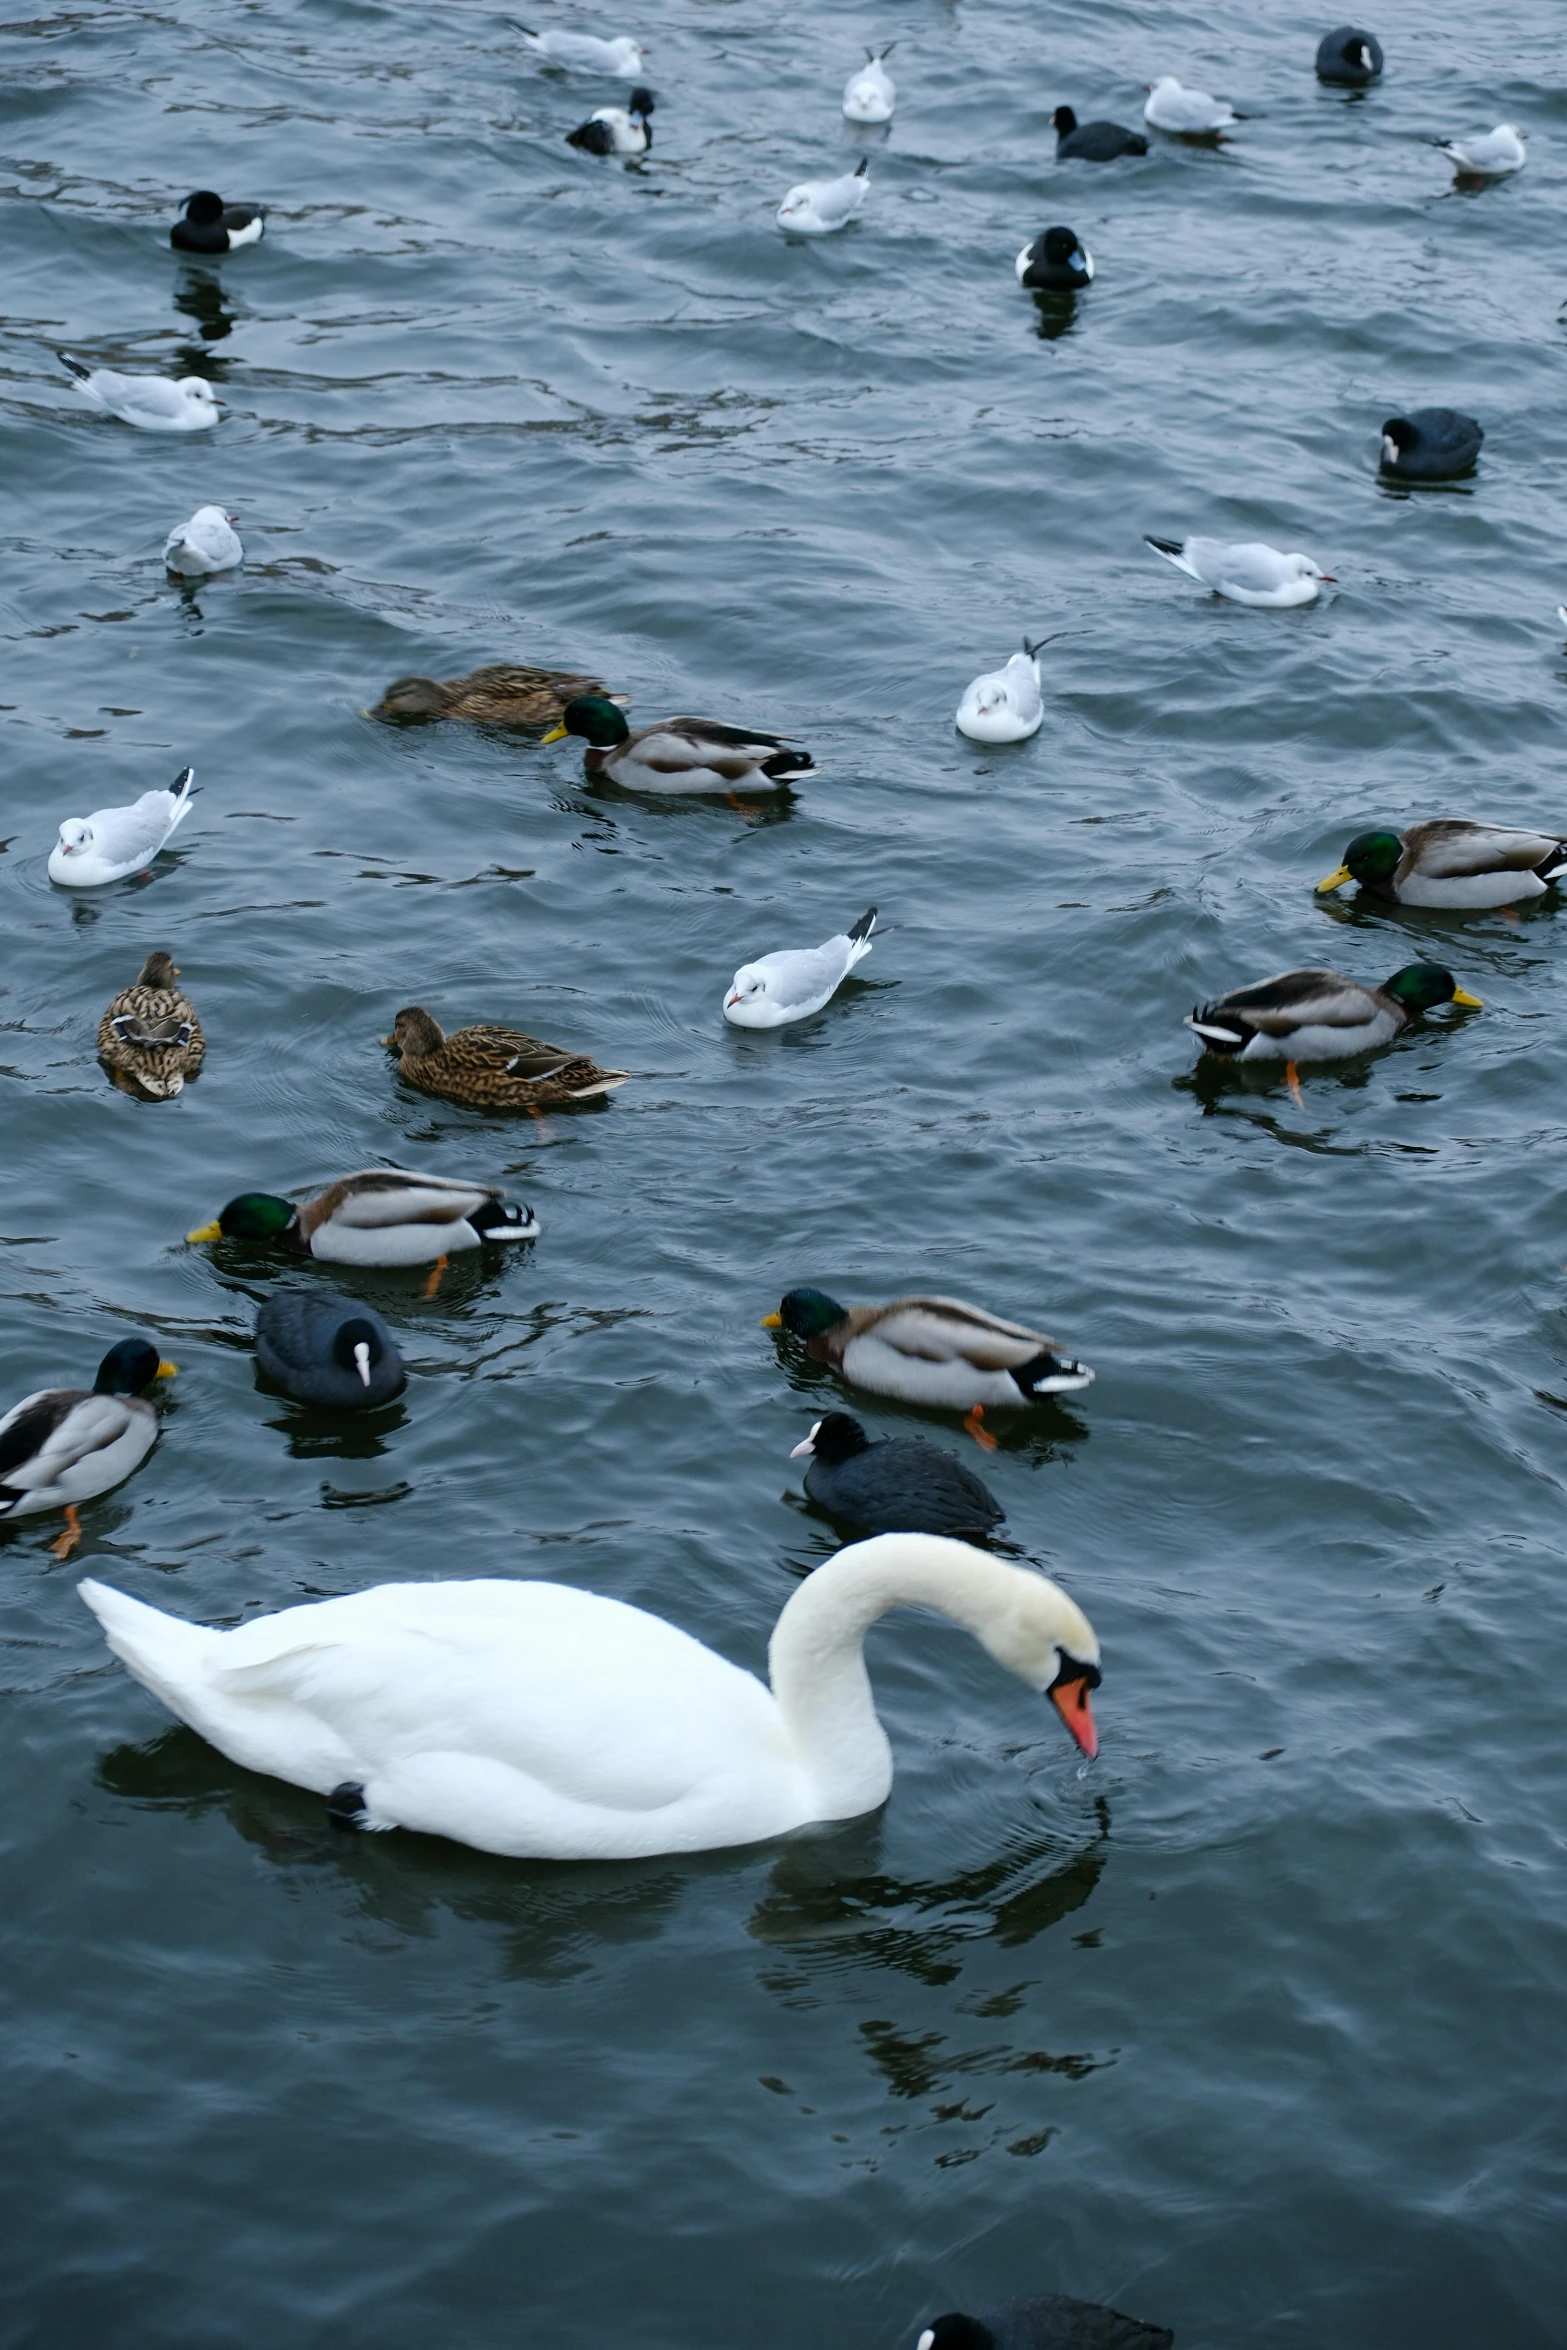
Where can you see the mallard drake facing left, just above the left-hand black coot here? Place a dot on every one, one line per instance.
(384, 1216)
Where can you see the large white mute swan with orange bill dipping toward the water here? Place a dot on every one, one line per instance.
(551, 1724)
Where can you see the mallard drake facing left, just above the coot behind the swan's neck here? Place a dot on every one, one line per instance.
(932, 1350)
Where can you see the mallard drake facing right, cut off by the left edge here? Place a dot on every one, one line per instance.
(67, 1444)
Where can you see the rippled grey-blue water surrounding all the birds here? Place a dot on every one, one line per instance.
(1253, 2025)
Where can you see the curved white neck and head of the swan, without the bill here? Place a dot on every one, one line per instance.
(816, 1656)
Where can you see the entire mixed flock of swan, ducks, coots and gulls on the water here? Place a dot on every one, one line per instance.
(544, 1721)
